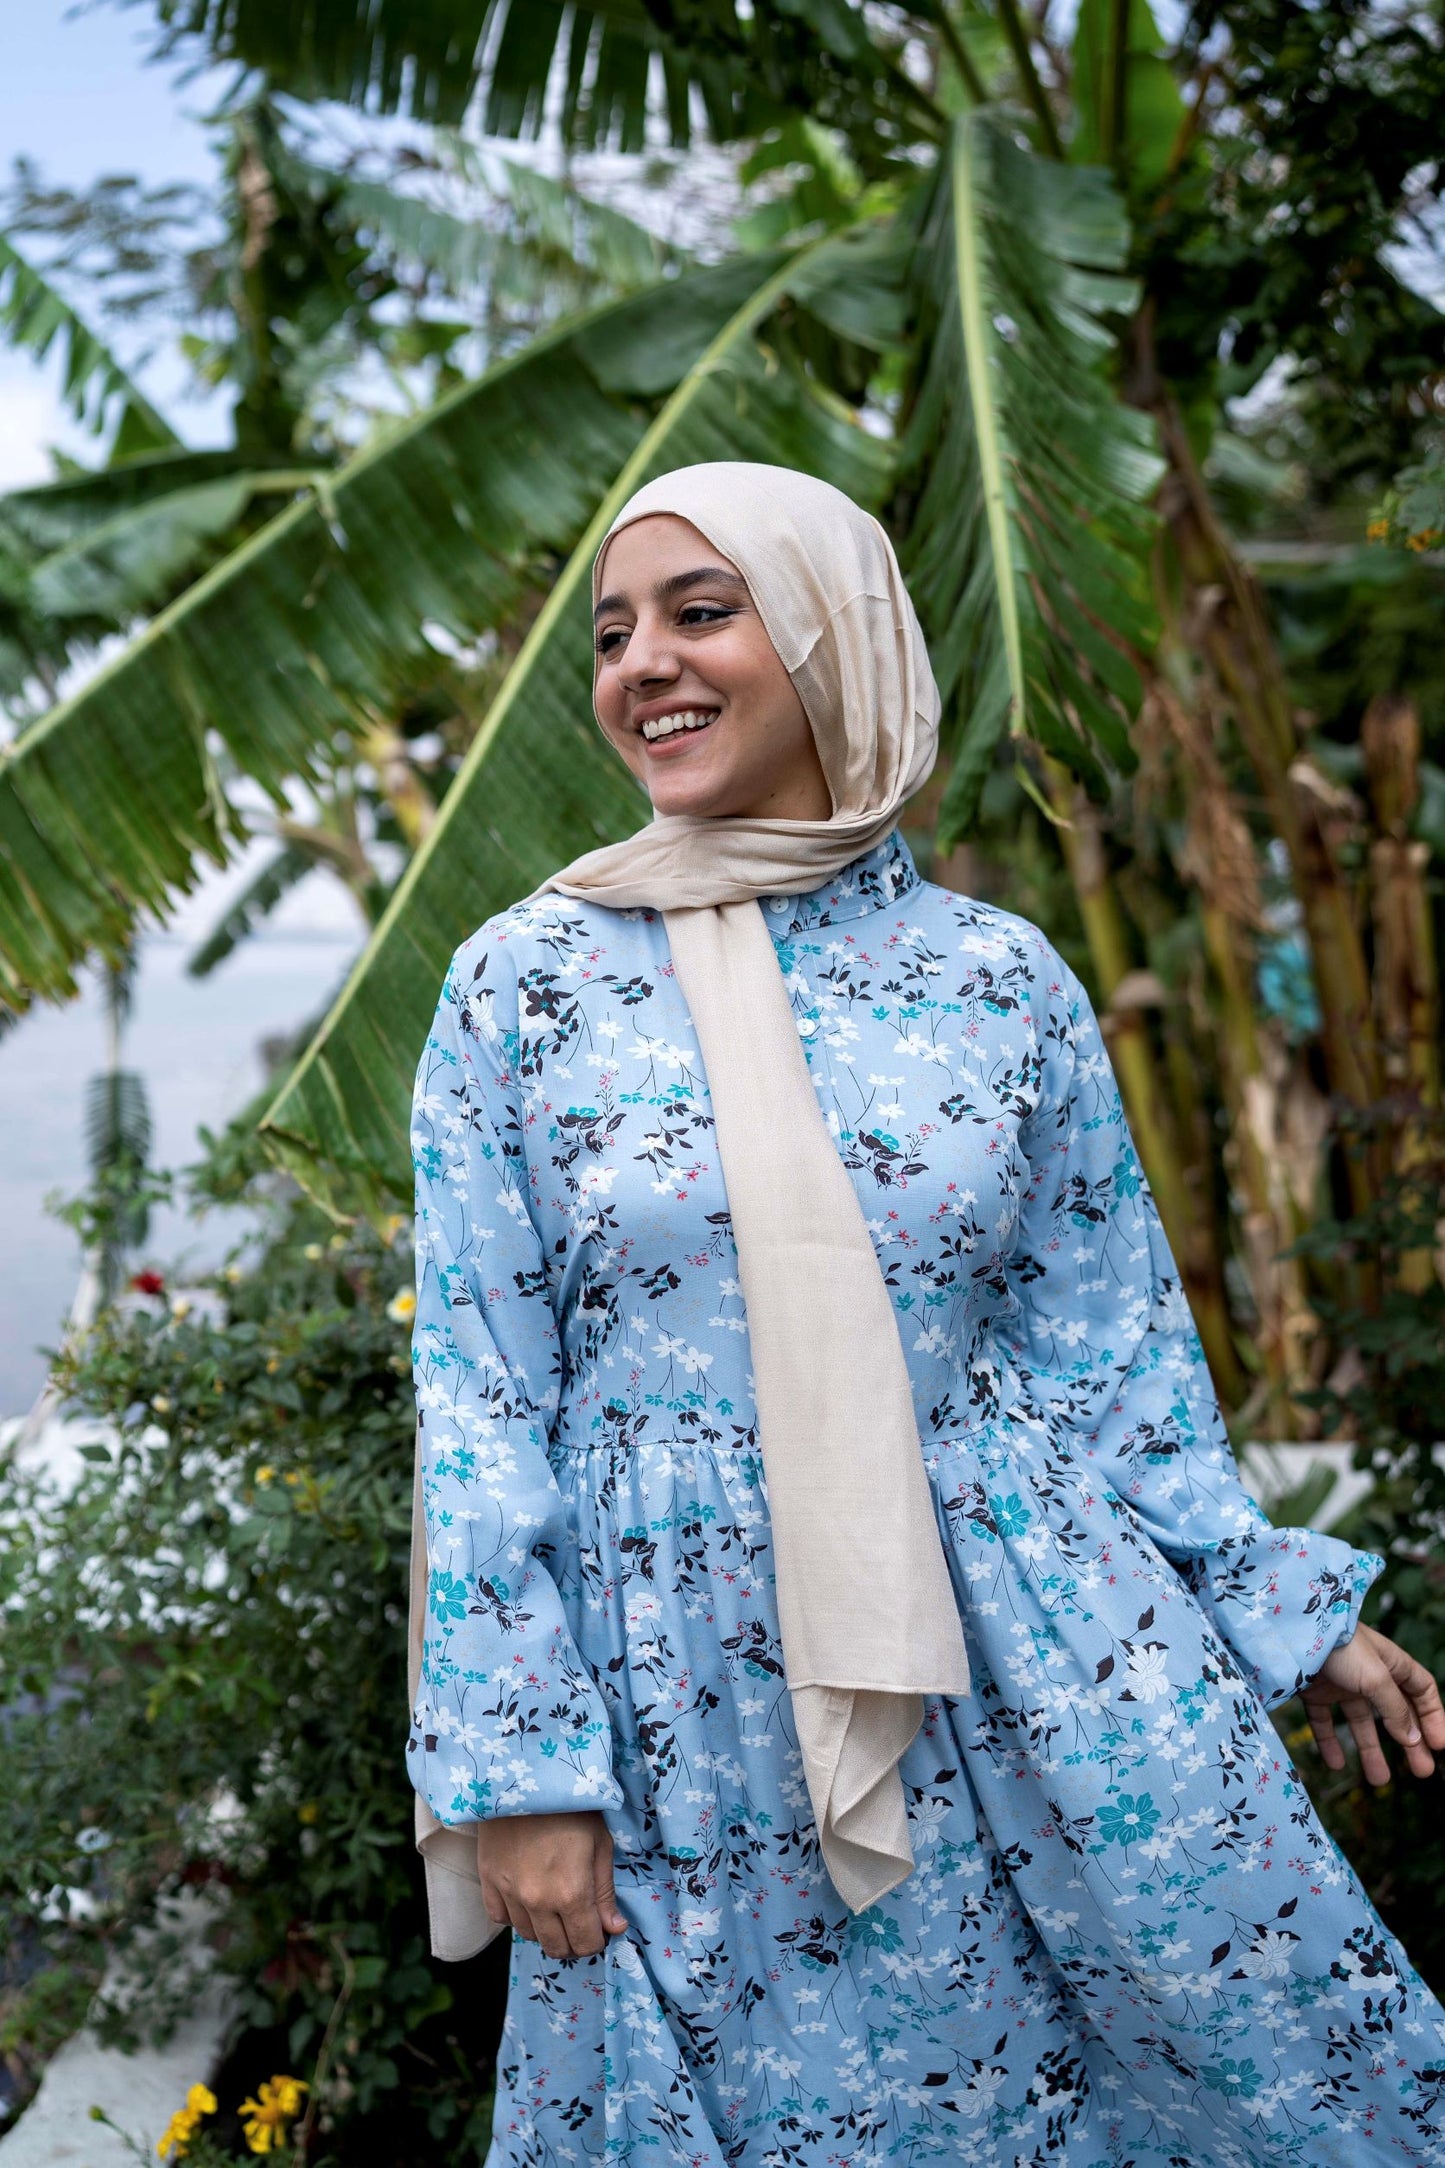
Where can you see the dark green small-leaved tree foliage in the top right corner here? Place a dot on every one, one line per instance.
(1279, 240)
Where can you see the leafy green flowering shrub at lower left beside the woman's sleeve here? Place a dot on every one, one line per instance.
(205, 1683)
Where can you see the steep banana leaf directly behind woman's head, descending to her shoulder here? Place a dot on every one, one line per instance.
(541, 784)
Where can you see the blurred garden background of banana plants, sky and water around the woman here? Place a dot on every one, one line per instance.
(330, 337)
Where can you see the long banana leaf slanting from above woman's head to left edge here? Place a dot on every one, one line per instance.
(109, 803)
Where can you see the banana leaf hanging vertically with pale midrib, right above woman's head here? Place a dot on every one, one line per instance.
(1028, 478)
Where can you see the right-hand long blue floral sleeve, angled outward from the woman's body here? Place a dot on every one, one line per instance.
(1106, 1345)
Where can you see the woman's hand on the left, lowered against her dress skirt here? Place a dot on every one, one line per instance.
(551, 1881)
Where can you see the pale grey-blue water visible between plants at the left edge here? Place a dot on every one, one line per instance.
(198, 1048)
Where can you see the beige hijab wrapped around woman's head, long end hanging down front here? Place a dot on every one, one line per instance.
(868, 1612)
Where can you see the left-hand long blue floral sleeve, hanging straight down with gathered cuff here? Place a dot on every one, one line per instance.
(510, 1720)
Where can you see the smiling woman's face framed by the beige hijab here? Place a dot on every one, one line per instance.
(690, 688)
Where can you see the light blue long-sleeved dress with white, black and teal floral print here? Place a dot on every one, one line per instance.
(1128, 1941)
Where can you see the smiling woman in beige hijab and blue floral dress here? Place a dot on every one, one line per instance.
(848, 1642)
